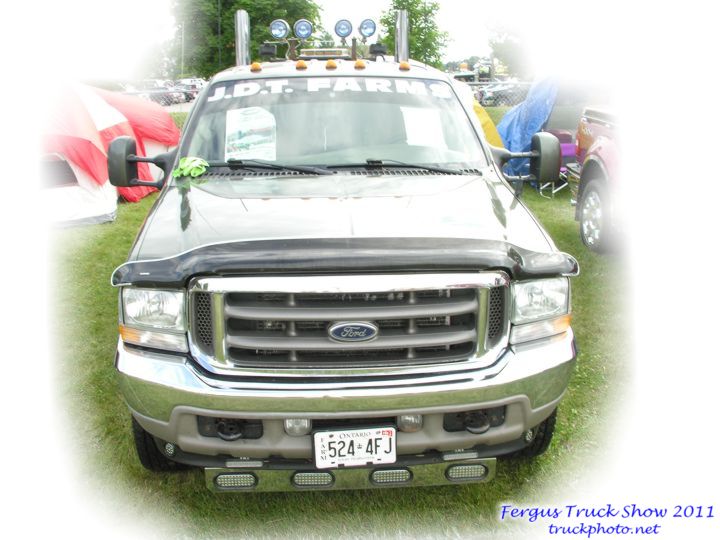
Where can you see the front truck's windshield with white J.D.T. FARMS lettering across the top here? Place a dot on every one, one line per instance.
(334, 121)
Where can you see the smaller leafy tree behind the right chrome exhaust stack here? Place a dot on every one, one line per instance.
(426, 40)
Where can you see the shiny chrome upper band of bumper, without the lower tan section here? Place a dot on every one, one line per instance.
(154, 384)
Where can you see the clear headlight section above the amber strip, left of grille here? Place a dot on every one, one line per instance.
(150, 308)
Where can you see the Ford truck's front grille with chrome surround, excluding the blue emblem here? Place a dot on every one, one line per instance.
(268, 329)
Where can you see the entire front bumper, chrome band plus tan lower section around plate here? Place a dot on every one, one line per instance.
(166, 393)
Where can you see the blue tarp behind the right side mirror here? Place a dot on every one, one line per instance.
(524, 120)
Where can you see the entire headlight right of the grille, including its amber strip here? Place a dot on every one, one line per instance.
(540, 308)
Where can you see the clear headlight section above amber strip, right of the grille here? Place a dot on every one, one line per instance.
(539, 299)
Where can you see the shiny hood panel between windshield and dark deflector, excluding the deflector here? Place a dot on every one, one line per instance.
(224, 208)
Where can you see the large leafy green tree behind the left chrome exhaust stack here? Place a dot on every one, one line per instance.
(205, 37)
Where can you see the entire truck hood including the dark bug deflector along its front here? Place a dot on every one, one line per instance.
(342, 223)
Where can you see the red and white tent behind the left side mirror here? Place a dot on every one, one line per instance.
(81, 123)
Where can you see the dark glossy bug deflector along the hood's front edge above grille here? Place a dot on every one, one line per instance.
(355, 255)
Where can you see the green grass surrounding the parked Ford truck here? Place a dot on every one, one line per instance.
(85, 311)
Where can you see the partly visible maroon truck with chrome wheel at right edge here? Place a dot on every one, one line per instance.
(593, 179)
